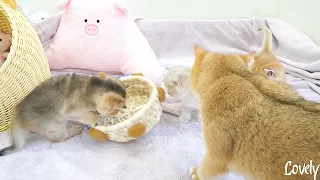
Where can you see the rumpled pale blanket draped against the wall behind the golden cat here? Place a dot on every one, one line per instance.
(173, 42)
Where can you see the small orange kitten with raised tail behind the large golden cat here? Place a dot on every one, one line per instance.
(264, 62)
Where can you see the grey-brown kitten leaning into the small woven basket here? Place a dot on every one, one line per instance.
(47, 109)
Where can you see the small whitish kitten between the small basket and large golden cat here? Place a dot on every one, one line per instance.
(176, 82)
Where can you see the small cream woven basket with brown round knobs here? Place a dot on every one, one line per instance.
(143, 110)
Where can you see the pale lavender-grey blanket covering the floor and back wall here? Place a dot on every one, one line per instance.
(171, 148)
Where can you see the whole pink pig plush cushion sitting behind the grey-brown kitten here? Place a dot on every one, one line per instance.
(101, 35)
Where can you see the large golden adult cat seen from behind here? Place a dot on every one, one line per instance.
(252, 125)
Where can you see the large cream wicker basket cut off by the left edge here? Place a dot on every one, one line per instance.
(26, 65)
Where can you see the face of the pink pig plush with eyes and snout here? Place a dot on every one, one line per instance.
(92, 19)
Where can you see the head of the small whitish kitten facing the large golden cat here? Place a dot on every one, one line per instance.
(176, 82)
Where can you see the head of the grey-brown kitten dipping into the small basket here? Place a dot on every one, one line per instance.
(110, 95)
